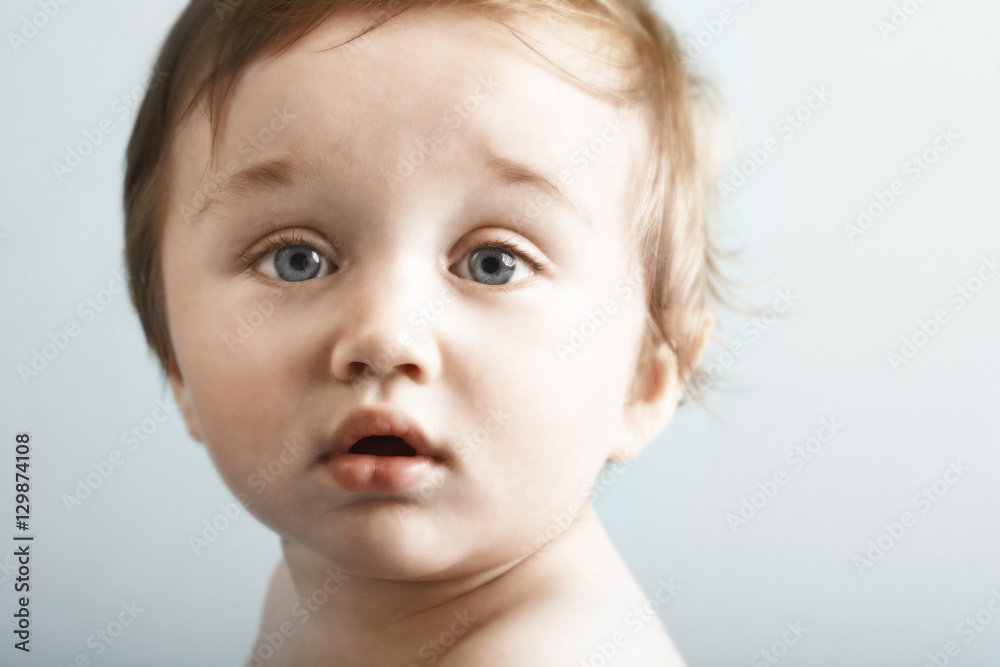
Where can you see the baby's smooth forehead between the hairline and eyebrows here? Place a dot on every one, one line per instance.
(429, 91)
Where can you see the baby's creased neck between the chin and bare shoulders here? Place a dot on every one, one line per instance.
(389, 621)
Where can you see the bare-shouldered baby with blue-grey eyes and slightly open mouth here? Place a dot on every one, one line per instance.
(416, 271)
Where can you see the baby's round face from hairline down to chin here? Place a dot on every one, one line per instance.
(344, 275)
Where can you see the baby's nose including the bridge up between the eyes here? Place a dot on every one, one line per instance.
(382, 329)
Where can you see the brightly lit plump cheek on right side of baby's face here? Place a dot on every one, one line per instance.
(560, 371)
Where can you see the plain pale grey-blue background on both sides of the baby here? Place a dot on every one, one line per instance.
(826, 357)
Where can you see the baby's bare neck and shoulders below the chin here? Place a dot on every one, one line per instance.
(559, 607)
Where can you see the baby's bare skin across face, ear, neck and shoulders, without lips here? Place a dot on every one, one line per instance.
(354, 167)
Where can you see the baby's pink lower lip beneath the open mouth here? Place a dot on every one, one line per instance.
(366, 473)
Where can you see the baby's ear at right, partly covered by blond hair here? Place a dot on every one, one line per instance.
(647, 413)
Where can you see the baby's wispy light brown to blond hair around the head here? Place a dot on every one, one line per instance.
(212, 42)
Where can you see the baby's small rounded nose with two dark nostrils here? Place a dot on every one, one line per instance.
(383, 336)
